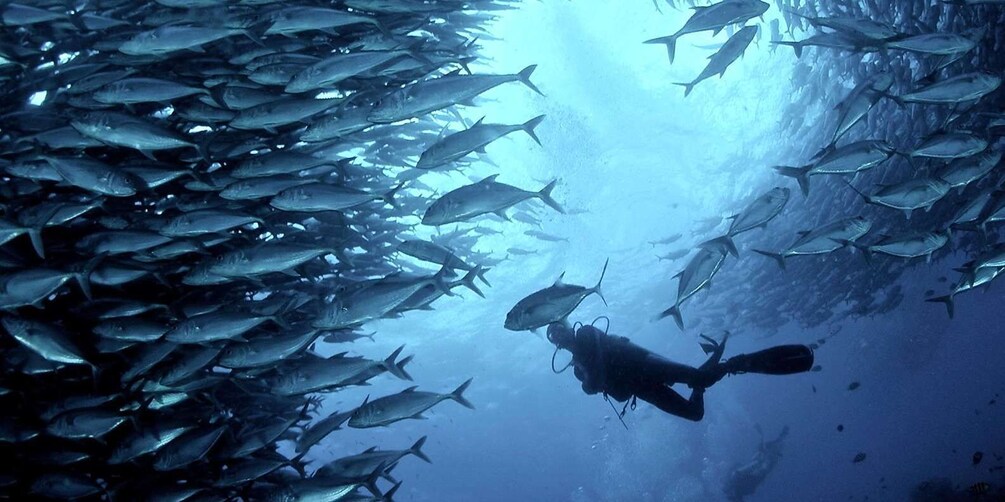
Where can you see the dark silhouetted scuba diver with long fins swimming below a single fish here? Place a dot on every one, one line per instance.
(624, 371)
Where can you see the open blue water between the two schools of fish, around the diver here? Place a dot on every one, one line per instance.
(644, 163)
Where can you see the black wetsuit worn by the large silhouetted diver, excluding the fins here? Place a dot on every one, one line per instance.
(622, 370)
